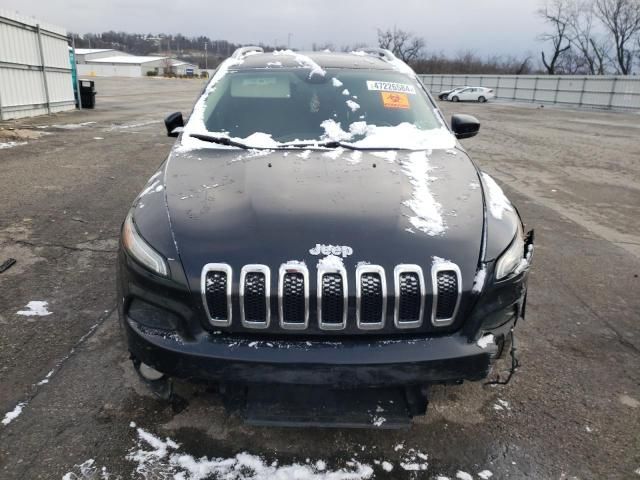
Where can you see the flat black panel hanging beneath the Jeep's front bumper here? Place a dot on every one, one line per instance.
(314, 406)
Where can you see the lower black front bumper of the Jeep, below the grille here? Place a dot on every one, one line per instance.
(349, 363)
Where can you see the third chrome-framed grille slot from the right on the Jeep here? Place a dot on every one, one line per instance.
(367, 303)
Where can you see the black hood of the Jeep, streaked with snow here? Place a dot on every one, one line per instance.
(270, 207)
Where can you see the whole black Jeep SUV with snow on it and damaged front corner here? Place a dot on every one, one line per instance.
(318, 228)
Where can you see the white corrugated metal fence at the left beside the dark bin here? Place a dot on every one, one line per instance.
(35, 70)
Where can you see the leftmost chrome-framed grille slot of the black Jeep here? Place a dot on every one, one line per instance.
(216, 281)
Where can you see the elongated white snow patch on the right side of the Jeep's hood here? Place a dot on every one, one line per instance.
(427, 212)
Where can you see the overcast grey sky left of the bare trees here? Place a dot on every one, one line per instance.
(484, 26)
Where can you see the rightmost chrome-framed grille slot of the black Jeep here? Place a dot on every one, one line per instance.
(447, 291)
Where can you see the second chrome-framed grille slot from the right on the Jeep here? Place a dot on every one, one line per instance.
(411, 279)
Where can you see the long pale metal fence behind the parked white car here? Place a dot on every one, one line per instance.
(609, 92)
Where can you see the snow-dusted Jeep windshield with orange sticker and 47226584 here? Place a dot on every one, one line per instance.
(377, 108)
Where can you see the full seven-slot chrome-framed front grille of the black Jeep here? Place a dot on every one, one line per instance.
(332, 288)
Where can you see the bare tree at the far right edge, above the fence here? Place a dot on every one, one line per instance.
(622, 19)
